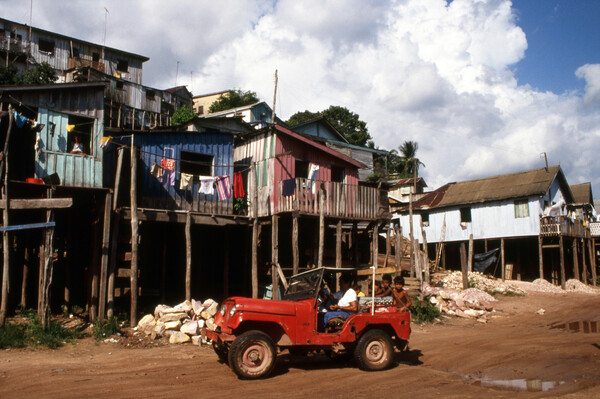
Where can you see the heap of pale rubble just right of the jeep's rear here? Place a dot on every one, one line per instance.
(469, 303)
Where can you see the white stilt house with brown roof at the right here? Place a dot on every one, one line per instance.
(525, 215)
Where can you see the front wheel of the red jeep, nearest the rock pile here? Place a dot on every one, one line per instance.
(252, 355)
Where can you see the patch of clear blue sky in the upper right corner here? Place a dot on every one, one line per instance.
(561, 35)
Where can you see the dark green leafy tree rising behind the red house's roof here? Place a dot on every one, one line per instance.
(343, 120)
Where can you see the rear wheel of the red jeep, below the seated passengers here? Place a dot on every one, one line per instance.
(374, 351)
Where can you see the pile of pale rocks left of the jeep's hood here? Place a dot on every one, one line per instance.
(181, 323)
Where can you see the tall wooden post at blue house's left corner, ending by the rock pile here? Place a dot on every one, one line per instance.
(133, 279)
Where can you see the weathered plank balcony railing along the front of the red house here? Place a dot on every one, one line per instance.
(340, 200)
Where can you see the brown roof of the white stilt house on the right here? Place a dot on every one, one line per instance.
(495, 188)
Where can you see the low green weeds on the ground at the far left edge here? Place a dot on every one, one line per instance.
(31, 332)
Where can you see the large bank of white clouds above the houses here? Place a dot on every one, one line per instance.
(419, 70)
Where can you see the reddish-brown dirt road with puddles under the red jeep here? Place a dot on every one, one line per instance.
(457, 358)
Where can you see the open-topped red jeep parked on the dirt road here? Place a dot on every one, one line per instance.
(250, 332)
